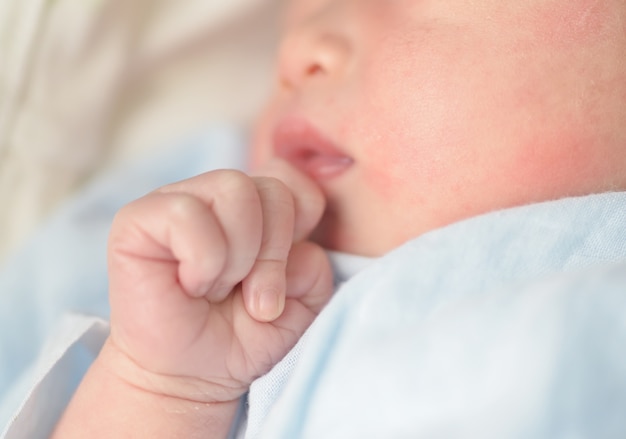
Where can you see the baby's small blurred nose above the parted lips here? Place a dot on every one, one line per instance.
(312, 51)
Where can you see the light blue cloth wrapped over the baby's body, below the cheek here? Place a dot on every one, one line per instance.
(509, 325)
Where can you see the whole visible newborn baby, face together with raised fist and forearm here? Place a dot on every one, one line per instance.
(390, 119)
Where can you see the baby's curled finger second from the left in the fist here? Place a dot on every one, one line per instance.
(236, 205)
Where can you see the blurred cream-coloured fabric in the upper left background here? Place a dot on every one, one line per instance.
(86, 85)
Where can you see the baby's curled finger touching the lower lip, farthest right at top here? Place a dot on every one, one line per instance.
(309, 201)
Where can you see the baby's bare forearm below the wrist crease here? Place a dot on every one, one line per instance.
(109, 404)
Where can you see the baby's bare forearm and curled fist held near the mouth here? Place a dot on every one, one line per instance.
(211, 283)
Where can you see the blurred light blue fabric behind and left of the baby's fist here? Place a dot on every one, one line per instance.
(63, 268)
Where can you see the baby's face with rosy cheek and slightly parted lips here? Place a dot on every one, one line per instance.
(413, 114)
